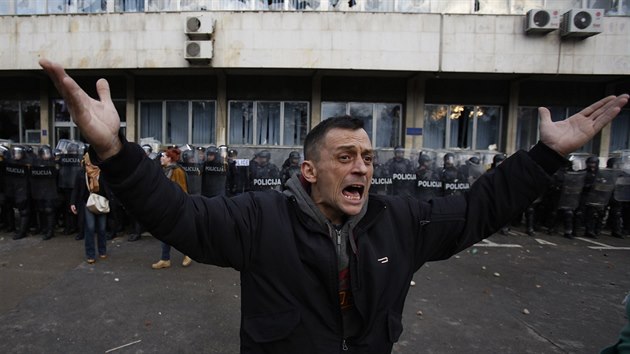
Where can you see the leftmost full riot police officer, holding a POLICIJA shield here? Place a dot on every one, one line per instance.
(17, 188)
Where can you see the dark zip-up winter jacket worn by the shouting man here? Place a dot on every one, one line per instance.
(288, 261)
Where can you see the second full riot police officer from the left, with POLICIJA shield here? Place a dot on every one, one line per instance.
(43, 177)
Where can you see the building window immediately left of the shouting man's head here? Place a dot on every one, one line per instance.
(268, 122)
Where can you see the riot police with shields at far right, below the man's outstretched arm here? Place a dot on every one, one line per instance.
(583, 196)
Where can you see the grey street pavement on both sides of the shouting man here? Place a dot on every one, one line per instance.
(511, 294)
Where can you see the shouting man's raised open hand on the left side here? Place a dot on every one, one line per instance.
(97, 120)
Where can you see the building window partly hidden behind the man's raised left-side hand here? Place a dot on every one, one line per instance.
(64, 127)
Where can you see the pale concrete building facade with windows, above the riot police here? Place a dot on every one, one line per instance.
(468, 77)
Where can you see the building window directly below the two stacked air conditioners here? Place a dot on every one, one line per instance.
(178, 122)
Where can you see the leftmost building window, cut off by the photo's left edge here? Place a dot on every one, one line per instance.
(19, 121)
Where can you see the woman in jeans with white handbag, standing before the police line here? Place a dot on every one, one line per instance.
(92, 193)
